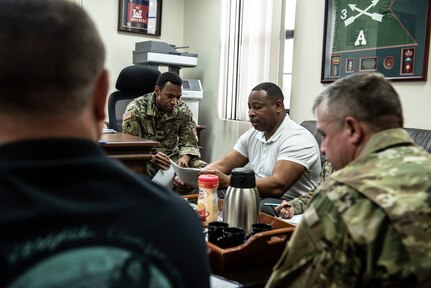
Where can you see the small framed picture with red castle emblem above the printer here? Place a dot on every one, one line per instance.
(139, 16)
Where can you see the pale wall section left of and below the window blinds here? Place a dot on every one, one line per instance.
(202, 34)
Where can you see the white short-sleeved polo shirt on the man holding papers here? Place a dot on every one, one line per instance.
(290, 142)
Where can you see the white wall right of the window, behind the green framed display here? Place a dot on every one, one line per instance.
(415, 95)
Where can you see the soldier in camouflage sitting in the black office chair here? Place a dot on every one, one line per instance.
(162, 116)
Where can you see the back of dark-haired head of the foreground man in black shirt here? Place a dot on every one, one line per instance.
(50, 56)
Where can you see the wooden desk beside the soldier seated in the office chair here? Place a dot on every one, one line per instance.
(133, 151)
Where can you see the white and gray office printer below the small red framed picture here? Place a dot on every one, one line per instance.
(156, 53)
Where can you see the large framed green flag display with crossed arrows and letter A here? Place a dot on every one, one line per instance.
(386, 36)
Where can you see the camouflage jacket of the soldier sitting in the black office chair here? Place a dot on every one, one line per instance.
(175, 130)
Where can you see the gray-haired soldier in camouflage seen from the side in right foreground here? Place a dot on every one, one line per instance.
(369, 224)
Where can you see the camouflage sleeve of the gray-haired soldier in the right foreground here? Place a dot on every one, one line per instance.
(323, 252)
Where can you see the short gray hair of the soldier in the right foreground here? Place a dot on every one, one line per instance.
(368, 97)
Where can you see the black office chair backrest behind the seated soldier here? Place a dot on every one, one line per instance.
(133, 81)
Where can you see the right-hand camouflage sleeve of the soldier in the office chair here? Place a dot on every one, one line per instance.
(187, 137)
